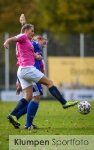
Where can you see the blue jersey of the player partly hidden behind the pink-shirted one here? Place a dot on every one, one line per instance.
(37, 49)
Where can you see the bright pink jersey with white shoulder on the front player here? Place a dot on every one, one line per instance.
(26, 50)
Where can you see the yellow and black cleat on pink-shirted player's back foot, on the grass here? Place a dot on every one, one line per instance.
(12, 119)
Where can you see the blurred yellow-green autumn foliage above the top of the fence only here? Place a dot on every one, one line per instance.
(54, 16)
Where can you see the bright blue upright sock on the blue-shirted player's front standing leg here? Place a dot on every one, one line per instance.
(31, 112)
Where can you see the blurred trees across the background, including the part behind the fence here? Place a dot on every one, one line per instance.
(56, 17)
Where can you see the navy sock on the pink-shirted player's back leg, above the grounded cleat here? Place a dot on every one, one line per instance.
(19, 106)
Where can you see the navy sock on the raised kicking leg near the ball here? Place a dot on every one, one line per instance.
(55, 92)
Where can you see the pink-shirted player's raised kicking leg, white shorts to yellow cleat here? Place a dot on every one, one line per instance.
(37, 76)
